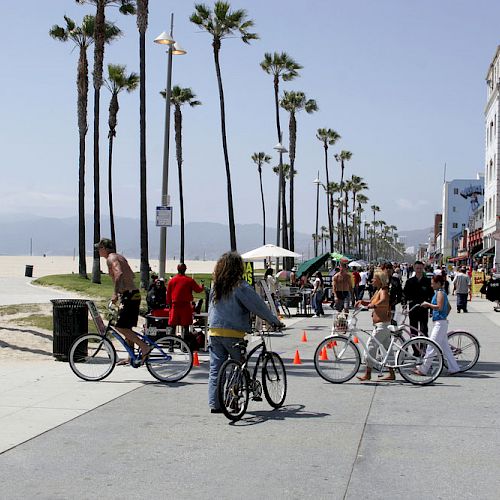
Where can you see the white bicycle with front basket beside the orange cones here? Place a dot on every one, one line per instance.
(337, 358)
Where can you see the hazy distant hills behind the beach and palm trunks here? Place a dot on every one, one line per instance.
(204, 240)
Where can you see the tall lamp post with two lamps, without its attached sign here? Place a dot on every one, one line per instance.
(173, 49)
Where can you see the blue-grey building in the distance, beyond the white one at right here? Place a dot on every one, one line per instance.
(461, 198)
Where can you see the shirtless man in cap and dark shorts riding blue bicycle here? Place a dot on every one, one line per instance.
(125, 291)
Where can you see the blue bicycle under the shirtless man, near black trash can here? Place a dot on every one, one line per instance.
(93, 356)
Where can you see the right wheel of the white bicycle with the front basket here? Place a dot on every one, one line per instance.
(411, 357)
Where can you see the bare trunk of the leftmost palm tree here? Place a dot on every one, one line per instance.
(83, 89)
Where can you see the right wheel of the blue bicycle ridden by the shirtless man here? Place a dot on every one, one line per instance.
(170, 360)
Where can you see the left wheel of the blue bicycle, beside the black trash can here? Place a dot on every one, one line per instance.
(92, 357)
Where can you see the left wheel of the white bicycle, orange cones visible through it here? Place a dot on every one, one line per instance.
(341, 361)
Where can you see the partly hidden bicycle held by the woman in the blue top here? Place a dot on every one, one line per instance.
(464, 345)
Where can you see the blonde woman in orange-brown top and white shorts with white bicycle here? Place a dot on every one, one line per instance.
(381, 317)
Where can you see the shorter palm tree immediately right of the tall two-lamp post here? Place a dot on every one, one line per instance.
(179, 97)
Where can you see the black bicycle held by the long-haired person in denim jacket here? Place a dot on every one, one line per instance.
(234, 382)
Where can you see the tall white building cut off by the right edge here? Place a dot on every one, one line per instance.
(491, 222)
